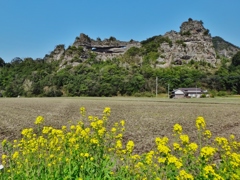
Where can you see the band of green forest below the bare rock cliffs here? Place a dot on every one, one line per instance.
(30, 77)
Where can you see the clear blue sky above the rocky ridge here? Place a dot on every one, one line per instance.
(32, 28)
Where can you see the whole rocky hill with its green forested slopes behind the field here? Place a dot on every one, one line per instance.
(110, 67)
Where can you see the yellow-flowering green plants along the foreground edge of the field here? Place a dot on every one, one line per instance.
(91, 149)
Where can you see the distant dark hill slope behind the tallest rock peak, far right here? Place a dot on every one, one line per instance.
(224, 48)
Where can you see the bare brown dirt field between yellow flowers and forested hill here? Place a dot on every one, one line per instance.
(146, 118)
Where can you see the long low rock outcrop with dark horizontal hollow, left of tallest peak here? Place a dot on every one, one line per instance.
(84, 45)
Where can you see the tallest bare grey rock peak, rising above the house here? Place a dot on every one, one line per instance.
(193, 42)
